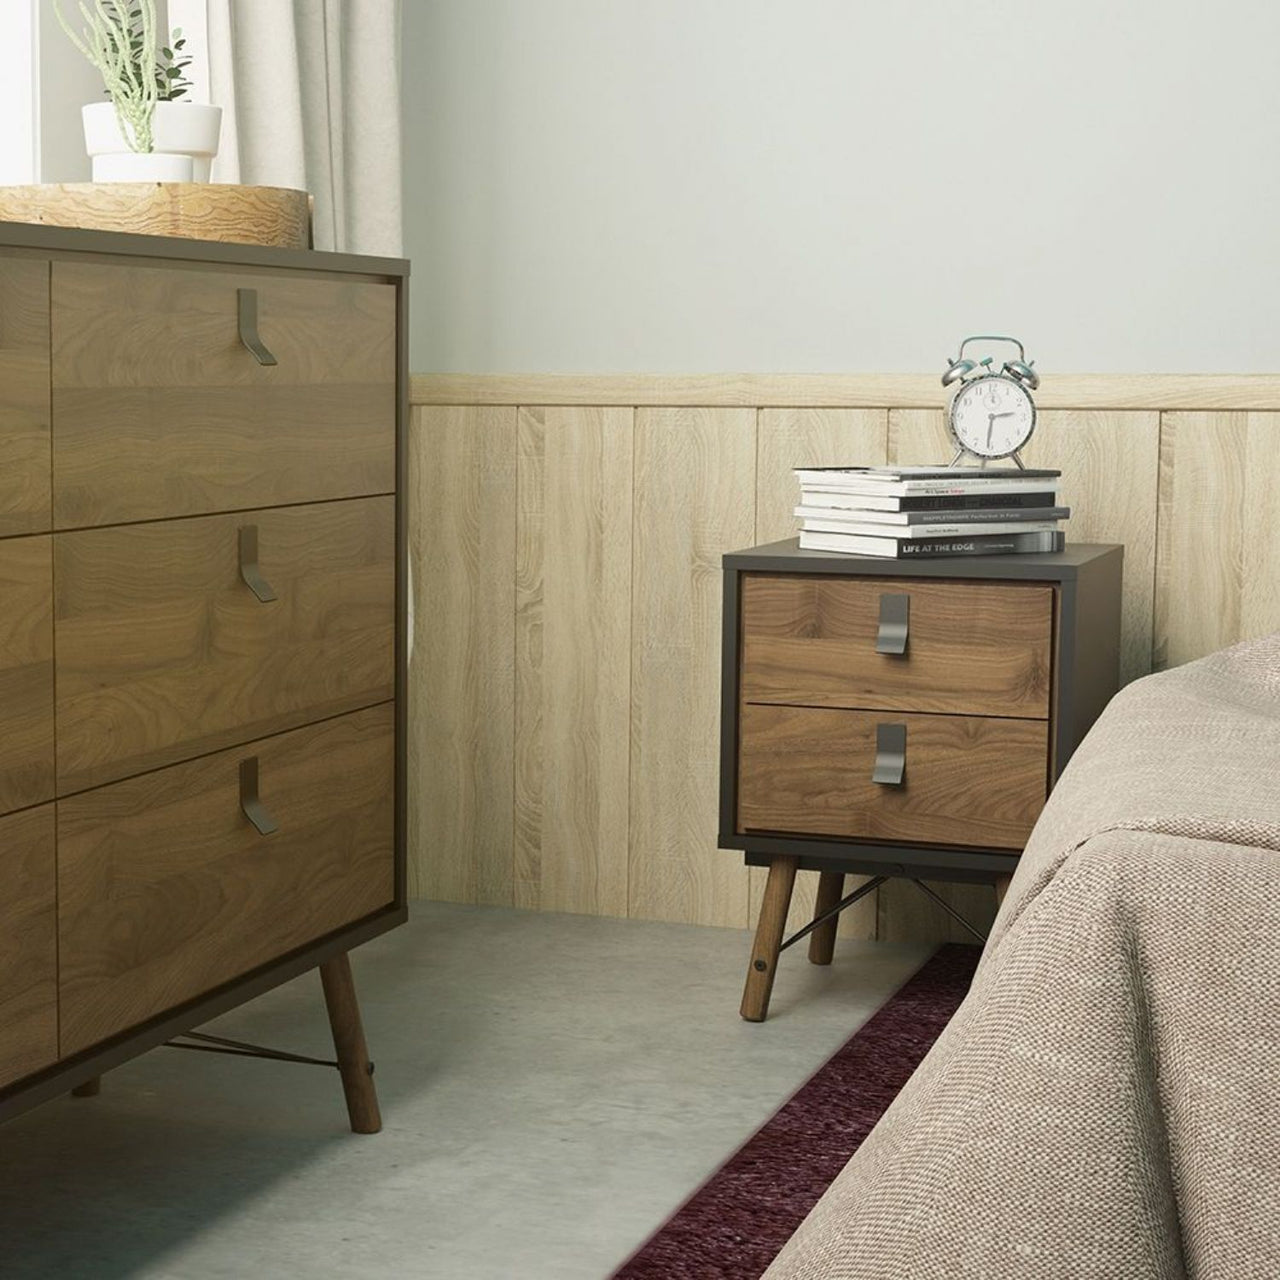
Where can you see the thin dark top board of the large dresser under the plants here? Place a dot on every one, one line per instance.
(68, 240)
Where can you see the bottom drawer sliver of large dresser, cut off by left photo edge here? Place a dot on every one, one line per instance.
(29, 944)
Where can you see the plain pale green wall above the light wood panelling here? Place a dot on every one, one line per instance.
(842, 185)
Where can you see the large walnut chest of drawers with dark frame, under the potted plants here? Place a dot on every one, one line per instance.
(203, 642)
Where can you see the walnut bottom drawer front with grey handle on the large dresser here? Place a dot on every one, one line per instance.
(168, 890)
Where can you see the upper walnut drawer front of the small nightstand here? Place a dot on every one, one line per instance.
(973, 648)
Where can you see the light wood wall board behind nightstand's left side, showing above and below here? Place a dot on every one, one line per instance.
(793, 438)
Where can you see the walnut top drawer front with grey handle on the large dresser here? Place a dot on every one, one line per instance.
(161, 410)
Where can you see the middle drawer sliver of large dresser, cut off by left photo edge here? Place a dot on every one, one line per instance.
(26, 674)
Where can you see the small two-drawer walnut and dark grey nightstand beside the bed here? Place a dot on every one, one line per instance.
(897, 719)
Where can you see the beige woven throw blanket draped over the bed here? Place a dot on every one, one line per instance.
(1107, 1103)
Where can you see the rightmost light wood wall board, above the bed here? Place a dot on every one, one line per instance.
(1219, 575)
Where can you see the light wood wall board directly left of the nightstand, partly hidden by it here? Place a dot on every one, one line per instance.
(694, 501)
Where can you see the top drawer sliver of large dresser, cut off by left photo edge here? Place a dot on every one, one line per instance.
(25, 504)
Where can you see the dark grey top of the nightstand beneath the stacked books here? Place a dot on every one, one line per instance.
(787, 557)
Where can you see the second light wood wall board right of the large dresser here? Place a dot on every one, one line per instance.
(574, 660)
